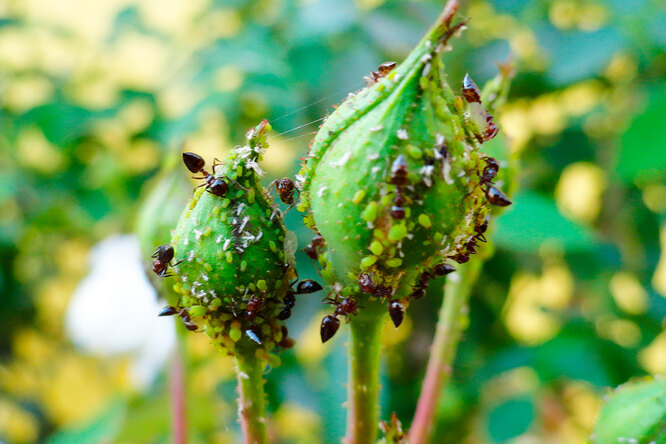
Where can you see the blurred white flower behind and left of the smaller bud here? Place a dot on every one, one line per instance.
(114, 310)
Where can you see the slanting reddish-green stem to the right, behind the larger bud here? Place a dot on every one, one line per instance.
(452, 321)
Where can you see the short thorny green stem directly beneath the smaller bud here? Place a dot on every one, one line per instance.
(251, 400)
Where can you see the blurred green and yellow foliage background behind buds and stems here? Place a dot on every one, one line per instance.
(95, 95)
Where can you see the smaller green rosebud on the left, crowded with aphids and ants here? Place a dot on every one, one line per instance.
(232, 255)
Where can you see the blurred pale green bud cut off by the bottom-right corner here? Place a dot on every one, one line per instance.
(635, 412)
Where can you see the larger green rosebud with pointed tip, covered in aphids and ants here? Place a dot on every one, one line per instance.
(396, 181)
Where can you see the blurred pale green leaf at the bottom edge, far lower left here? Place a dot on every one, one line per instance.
(103, 428)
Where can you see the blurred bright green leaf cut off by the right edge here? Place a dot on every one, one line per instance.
(642, 155)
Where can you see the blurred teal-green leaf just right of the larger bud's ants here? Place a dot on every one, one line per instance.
(533, 220)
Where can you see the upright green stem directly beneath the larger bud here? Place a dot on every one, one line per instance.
(363, 388)
